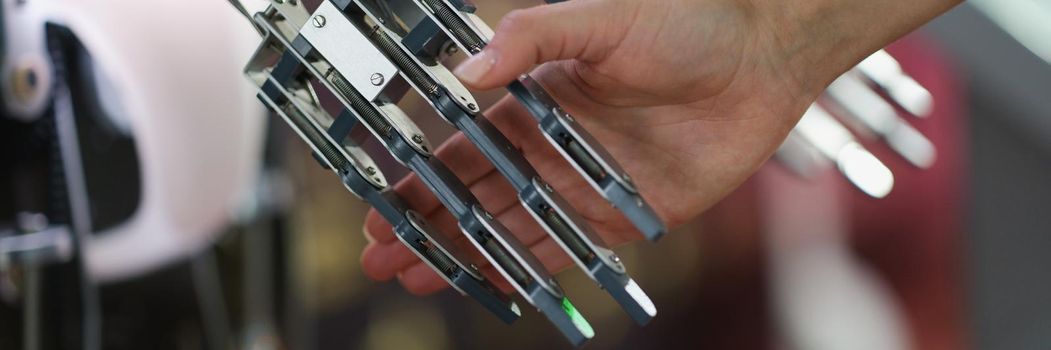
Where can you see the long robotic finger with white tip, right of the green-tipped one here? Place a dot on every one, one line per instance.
(457, 106)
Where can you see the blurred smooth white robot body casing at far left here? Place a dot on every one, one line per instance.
(175, 68)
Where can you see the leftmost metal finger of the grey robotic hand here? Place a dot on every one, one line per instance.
(362, 177)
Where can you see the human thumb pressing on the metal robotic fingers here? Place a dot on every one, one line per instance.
(583, 30)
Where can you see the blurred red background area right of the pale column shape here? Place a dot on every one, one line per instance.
(914, 237)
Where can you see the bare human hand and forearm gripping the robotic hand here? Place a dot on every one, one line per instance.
(692, 97)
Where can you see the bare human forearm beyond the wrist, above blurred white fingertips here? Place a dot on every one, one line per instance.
(821, 39)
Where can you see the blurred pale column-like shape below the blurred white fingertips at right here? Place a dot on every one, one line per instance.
(825, 298)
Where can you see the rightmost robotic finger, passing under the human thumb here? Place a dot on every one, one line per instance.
(459, 24)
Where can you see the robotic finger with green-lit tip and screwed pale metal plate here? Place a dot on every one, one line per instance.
(326, 46)
